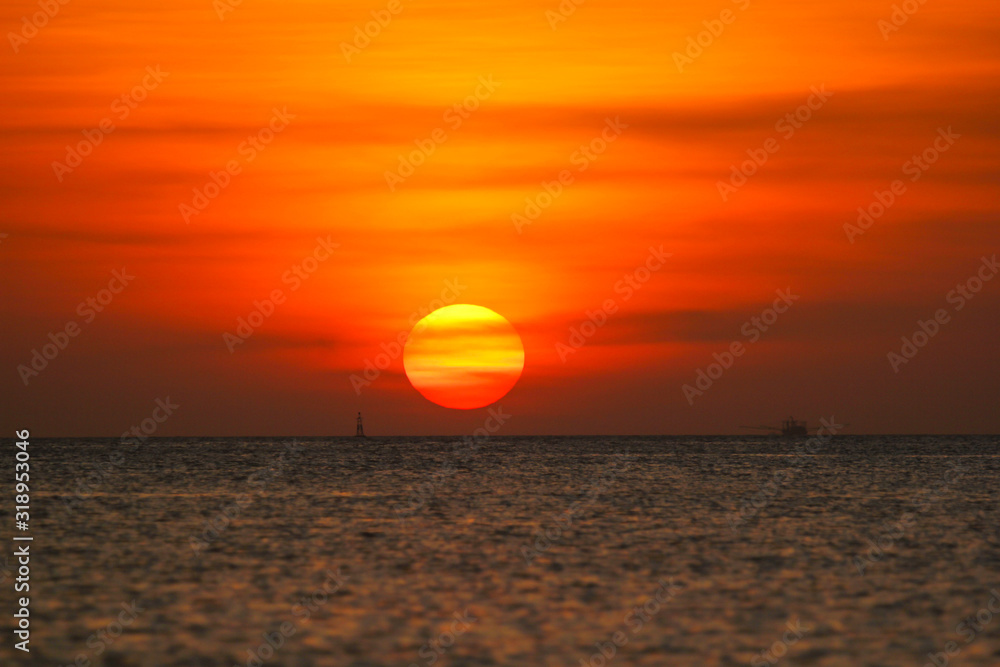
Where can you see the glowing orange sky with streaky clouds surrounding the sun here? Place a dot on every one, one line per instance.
(608, 74)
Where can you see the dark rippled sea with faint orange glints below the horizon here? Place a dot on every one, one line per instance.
(527, 551)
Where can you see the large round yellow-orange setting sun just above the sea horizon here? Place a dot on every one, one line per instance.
(463, 356)
